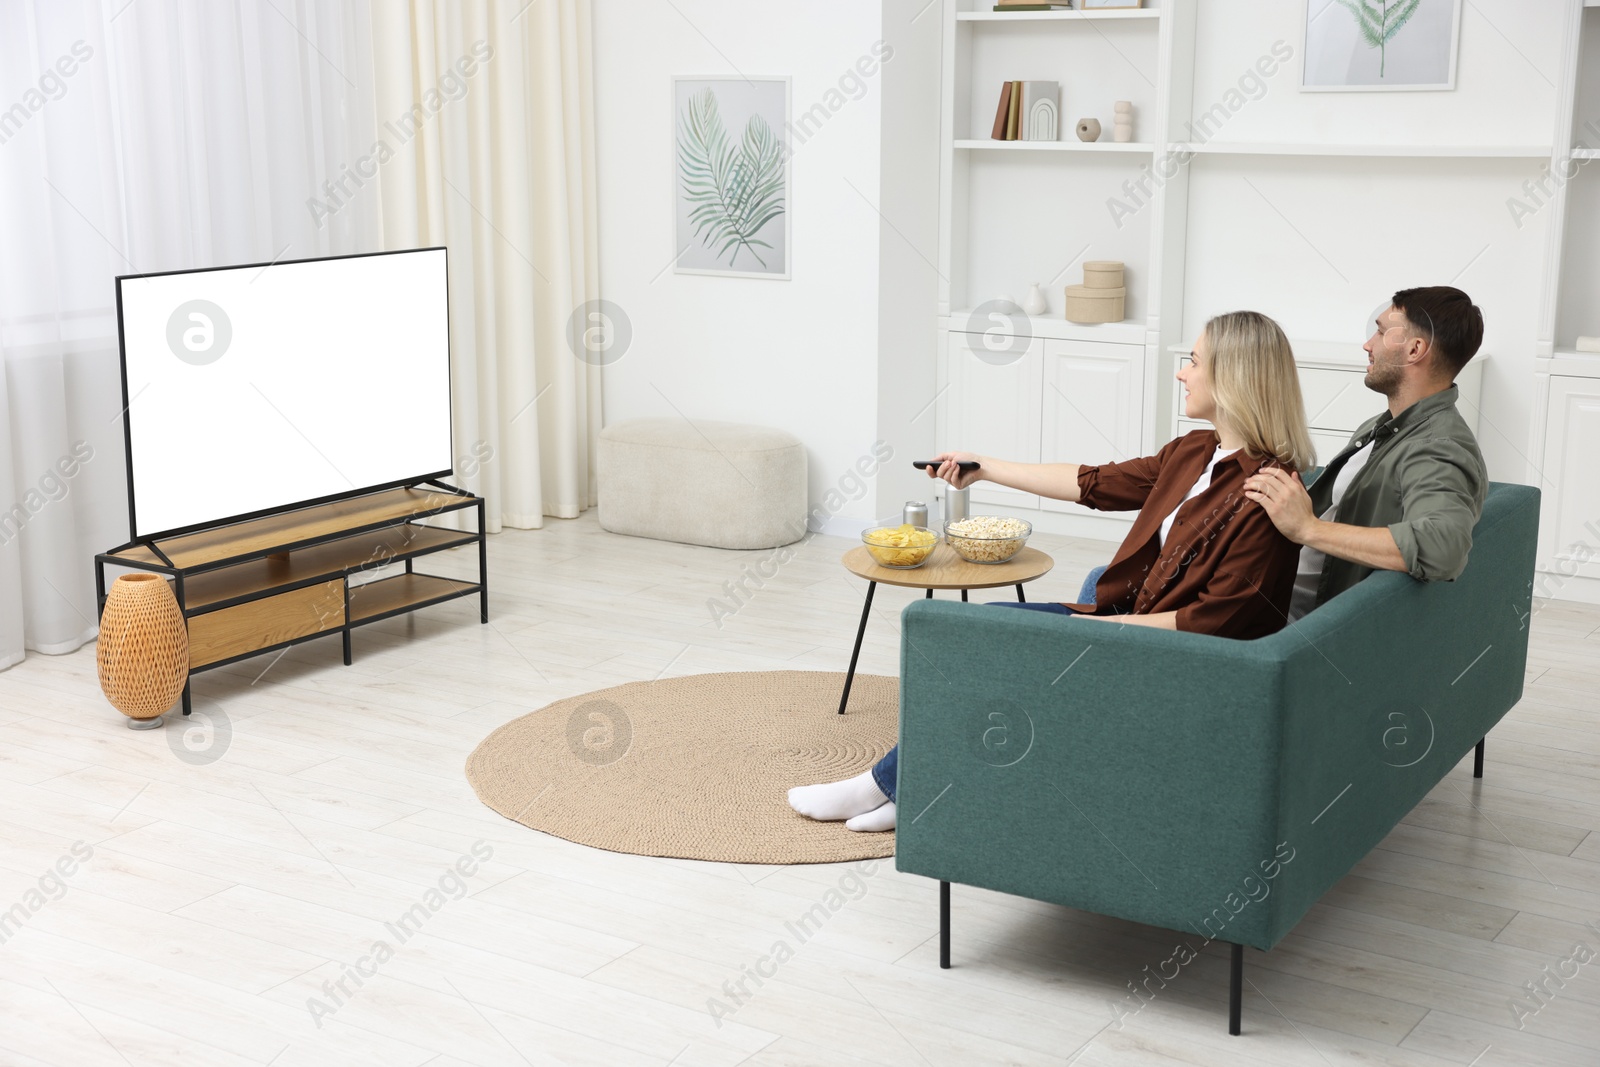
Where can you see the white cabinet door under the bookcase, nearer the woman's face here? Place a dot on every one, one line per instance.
(1094, 406)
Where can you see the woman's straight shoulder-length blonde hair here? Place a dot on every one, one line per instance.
(1255, 388)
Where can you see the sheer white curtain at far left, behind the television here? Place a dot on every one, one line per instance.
(140, 137)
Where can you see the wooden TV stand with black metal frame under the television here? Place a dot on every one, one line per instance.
(282, 580)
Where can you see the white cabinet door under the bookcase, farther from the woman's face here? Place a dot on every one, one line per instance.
(991, 406)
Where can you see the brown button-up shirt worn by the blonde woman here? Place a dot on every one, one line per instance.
(1225, 569)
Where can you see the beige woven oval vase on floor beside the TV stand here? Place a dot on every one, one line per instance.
(143, 650)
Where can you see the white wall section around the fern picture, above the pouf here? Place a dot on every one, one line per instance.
(802, 354)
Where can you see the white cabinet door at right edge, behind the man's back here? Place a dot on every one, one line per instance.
(1572, 513)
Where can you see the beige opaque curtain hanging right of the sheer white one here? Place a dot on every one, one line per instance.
(486, 124)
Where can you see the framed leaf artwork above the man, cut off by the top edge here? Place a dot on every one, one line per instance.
(1366, 46)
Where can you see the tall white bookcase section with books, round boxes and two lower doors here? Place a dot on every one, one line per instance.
(1017, 214)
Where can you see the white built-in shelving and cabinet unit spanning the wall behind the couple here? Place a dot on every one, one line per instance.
(1266, 210)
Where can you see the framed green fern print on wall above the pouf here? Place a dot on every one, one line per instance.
(730, 177)
